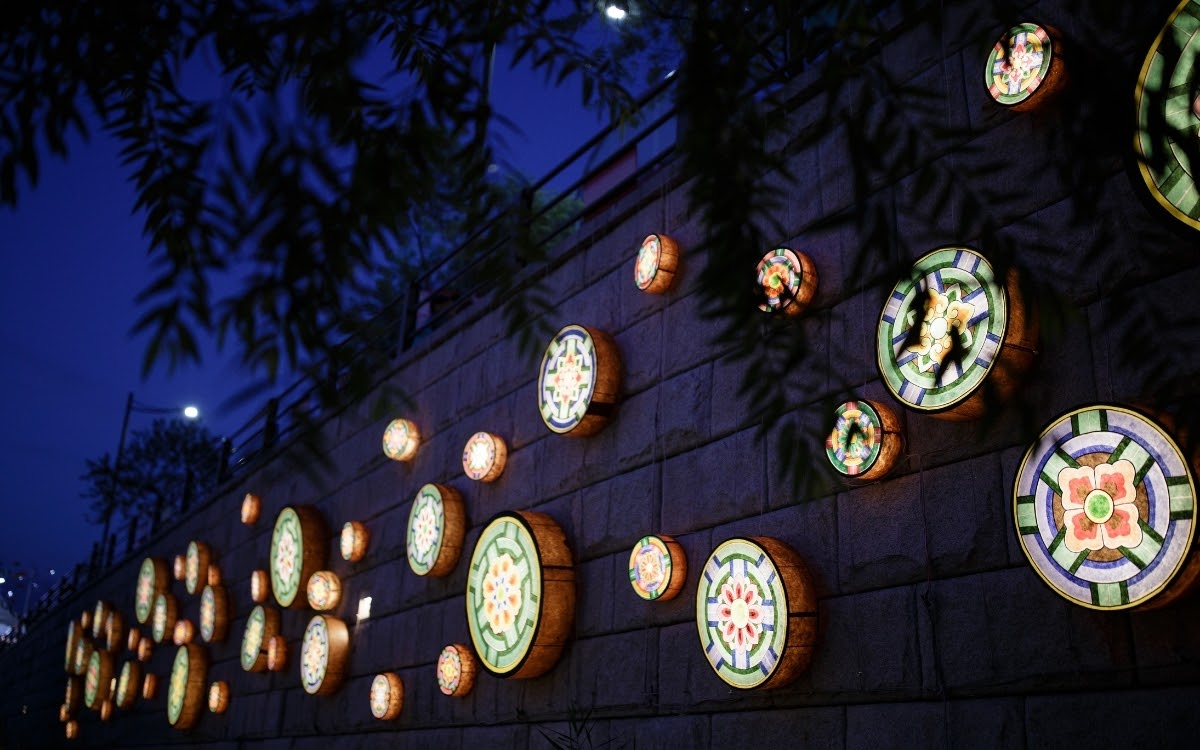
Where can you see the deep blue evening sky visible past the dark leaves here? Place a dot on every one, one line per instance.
(74, 261)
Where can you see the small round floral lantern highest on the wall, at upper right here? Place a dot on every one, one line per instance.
(1025, 68)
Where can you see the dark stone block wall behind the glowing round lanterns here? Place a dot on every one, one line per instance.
(934, 629)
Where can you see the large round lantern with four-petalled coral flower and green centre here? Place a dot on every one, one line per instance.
(1106, 511)
